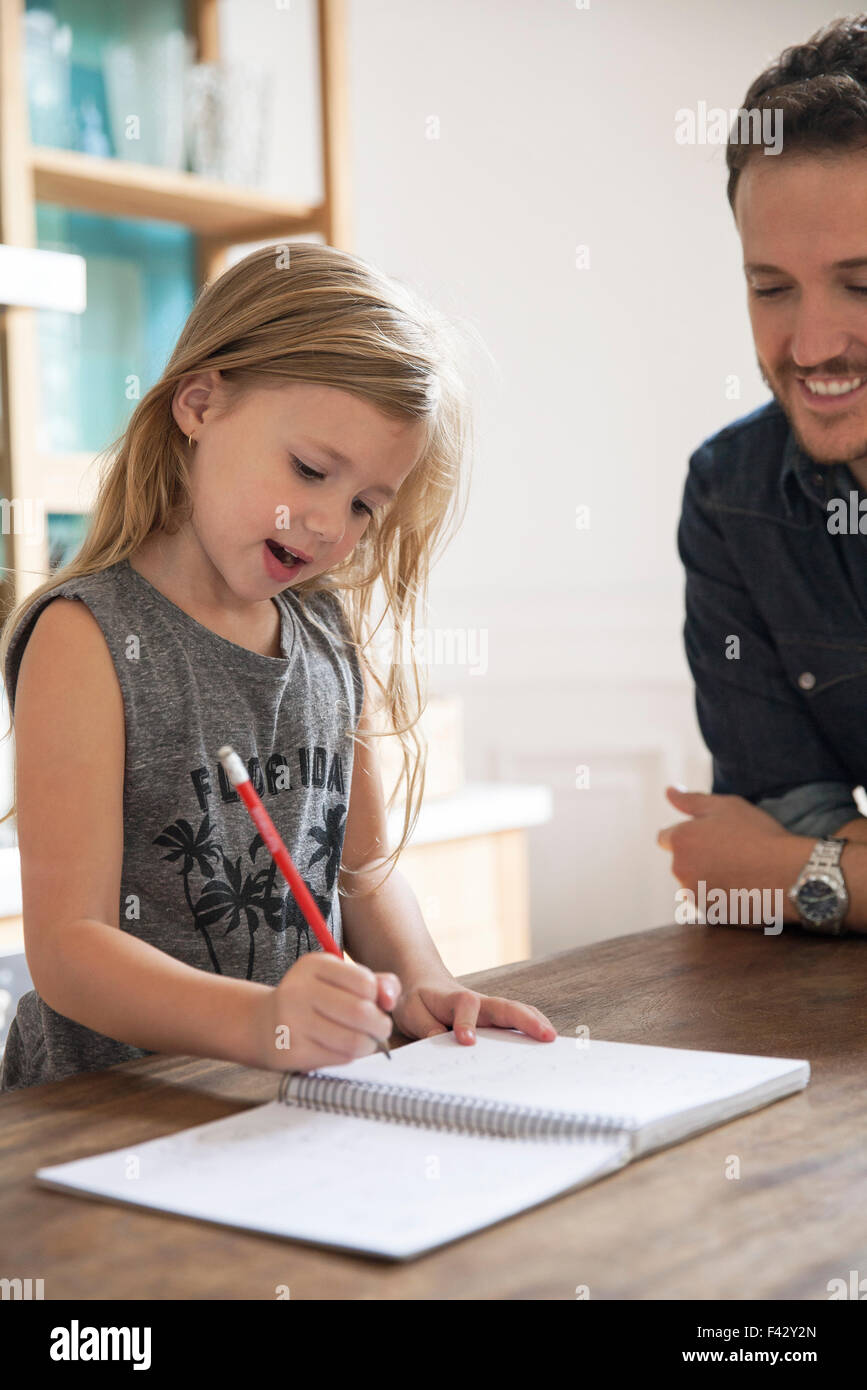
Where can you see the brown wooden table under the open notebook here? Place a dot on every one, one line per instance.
(668, 1227)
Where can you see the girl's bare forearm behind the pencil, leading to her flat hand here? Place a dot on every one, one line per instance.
(386, 929)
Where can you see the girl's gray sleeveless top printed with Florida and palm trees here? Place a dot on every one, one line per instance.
(198, 882)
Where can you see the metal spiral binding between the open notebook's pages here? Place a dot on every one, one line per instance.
(441, 1110)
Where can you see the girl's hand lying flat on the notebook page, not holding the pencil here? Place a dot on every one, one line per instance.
(445, 1004)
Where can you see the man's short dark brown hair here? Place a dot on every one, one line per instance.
(822, 90)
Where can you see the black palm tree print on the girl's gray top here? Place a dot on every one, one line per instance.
(244, 897)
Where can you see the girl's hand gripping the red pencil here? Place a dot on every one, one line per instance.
(324, 1011)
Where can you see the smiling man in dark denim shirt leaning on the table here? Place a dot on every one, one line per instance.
(773, 534)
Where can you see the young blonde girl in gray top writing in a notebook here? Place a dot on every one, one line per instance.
(304, 445)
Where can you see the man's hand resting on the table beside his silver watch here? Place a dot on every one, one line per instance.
(732, 844)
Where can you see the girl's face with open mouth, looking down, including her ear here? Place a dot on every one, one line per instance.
(301, 466)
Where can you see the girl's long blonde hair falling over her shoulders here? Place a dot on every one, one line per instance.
(309, 313)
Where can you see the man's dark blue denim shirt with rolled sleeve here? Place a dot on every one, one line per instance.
(783, 708)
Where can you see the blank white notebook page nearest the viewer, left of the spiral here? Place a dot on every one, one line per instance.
(356, 1184)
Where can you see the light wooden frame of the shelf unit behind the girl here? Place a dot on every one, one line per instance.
(217, 215)
